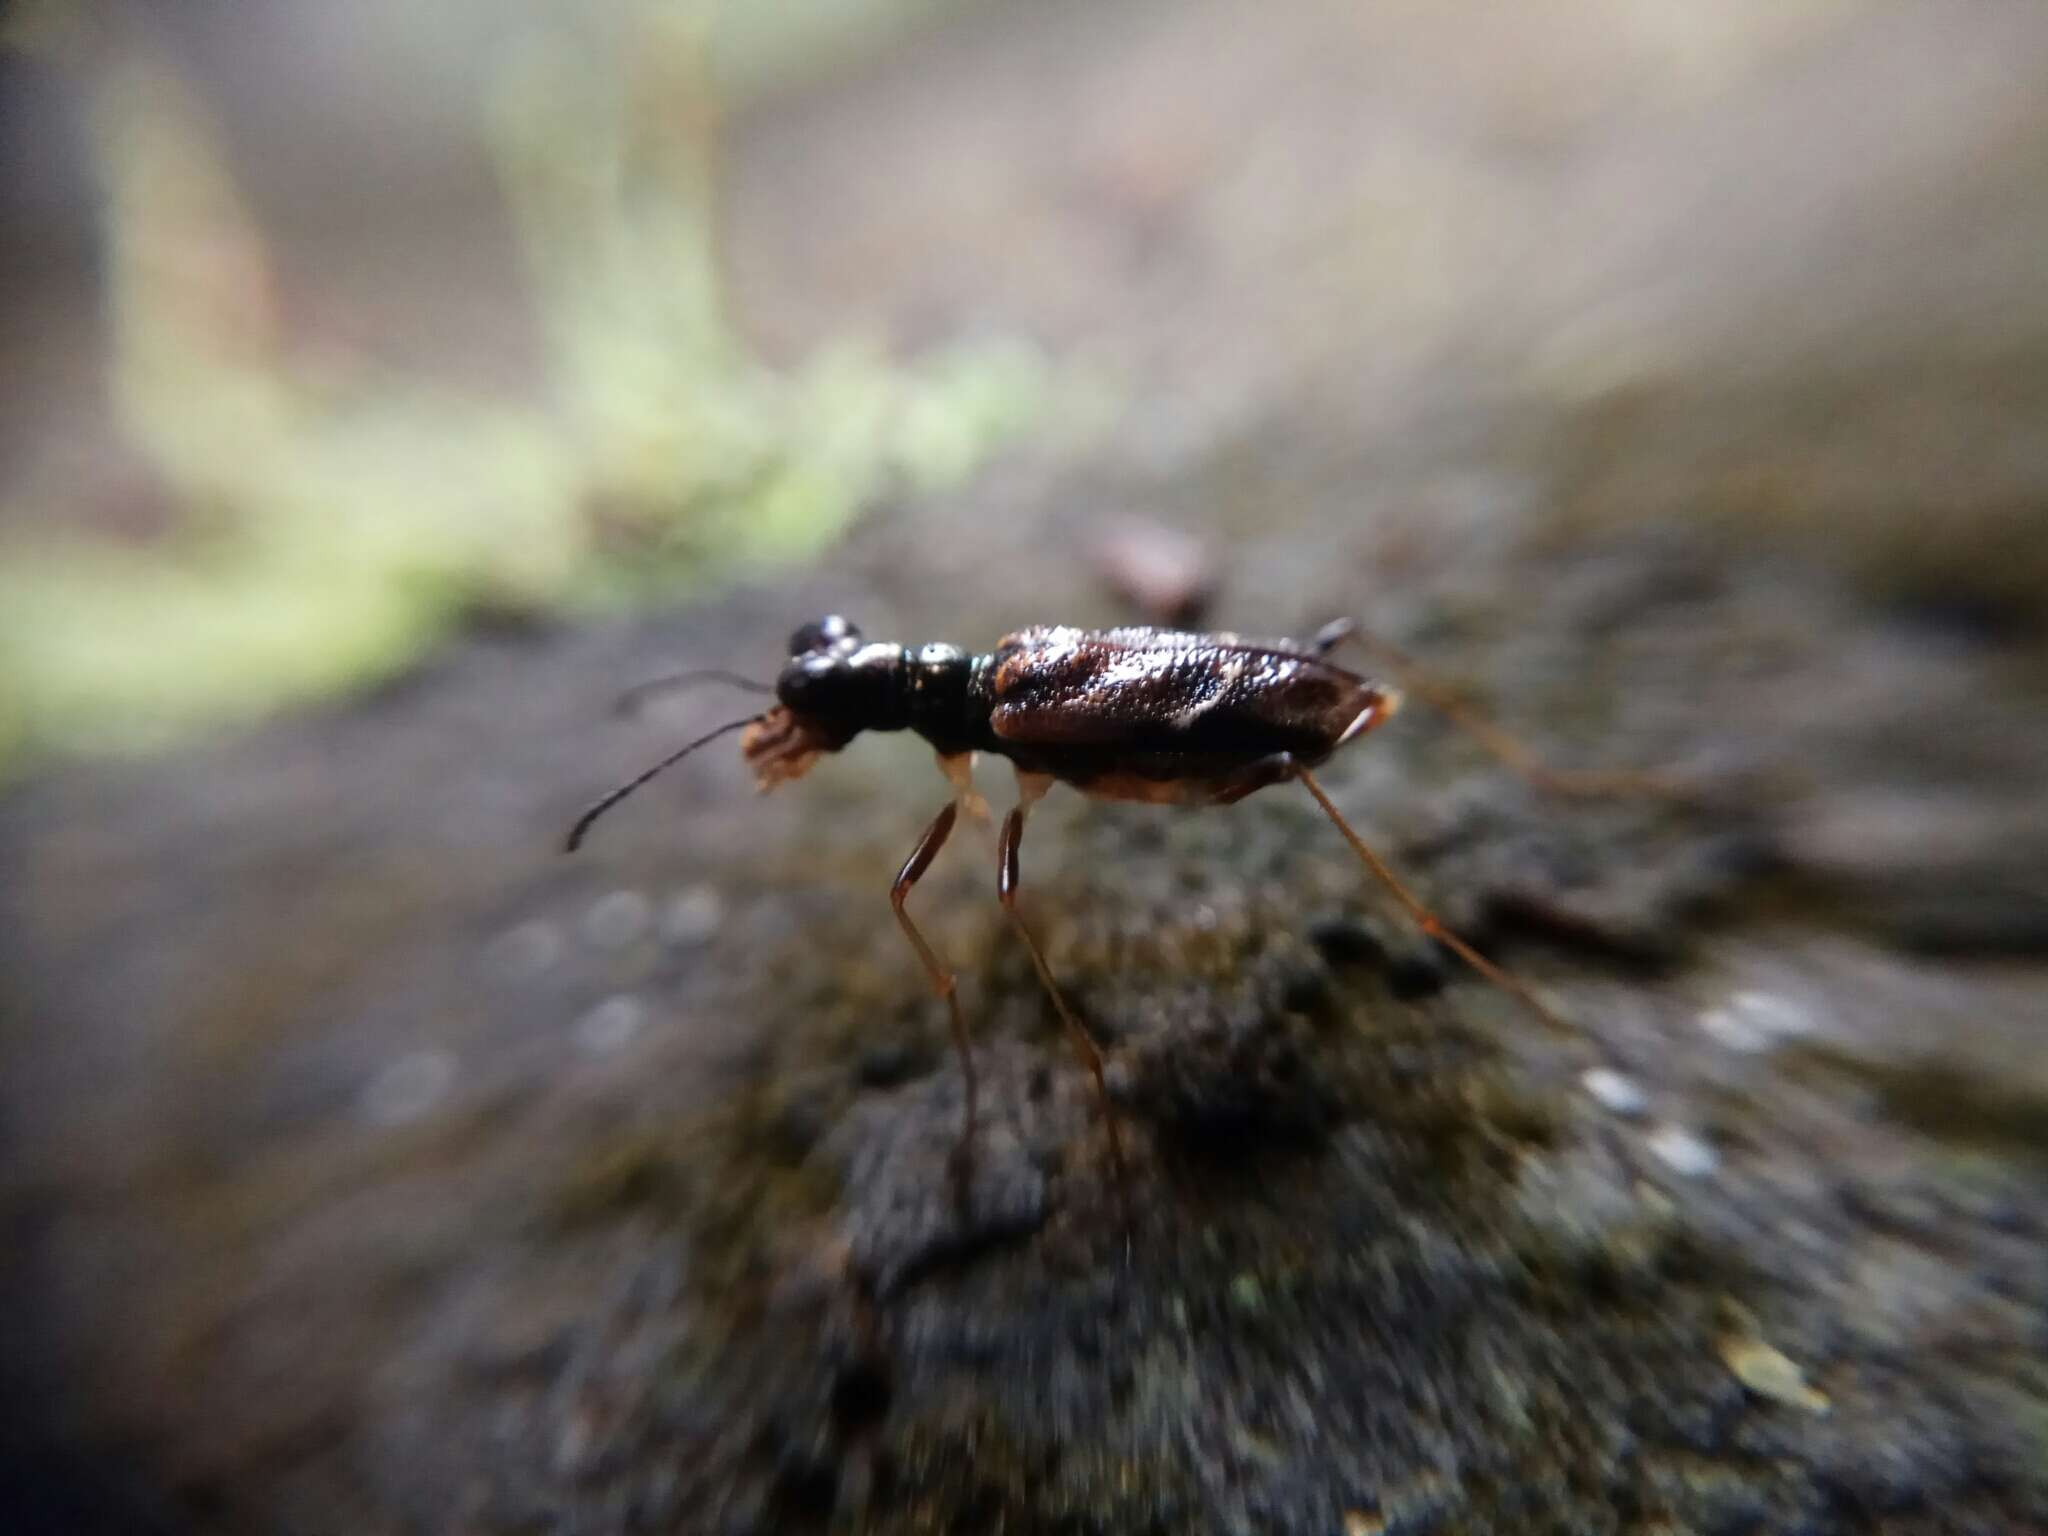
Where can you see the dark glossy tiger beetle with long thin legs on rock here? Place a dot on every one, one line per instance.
(1156, 716)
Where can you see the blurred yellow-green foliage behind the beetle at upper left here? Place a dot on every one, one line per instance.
(333, 521)
